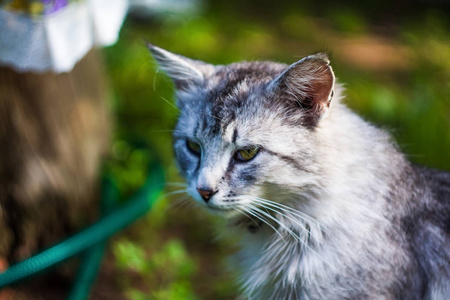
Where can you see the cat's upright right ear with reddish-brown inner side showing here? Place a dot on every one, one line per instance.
(307, 84)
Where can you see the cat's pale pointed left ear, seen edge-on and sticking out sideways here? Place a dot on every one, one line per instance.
(182, 70)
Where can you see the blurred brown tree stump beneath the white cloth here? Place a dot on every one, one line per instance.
(54, 130)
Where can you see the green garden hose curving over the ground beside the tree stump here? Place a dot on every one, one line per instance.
(135, 207)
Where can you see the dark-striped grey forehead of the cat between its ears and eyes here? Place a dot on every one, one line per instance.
(230, 101)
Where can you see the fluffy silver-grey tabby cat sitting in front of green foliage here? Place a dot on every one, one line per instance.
(324, 203)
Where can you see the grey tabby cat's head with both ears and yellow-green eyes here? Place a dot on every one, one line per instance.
(247, 130)
